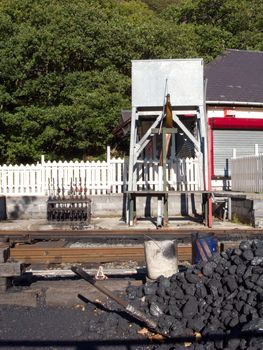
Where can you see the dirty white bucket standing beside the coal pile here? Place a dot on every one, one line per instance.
(161, 258)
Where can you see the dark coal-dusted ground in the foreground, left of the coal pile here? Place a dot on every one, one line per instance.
(92, 327)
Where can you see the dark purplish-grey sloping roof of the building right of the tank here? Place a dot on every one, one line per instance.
(236, 75)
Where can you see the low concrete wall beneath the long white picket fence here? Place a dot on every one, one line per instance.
(35, 207)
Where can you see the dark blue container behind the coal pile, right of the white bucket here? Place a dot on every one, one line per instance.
(203, 246)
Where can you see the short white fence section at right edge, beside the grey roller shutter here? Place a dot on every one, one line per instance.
(247, 173)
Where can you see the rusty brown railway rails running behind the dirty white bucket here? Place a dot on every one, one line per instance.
(52, 246)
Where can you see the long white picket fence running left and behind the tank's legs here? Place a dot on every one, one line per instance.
(97, 178)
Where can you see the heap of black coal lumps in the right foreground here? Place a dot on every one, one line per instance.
(221, 299)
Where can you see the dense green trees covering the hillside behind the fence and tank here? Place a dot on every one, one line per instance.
(65, 65)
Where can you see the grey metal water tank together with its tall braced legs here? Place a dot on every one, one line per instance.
(152, 81)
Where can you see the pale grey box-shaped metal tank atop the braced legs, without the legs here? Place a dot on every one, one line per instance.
(182, 79)
